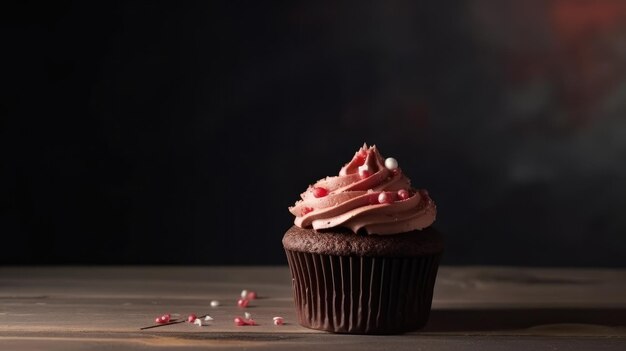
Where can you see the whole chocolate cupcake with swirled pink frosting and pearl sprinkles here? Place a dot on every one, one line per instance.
(362, 253)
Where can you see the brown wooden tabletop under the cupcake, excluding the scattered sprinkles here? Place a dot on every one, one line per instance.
(486, 308)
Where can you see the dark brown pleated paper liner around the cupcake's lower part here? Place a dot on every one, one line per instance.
(362, 295)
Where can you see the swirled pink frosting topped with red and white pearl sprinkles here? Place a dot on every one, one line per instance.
(353, 199)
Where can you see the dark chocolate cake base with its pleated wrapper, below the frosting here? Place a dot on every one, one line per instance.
(363, 284)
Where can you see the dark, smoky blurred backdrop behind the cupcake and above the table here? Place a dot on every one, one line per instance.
(180, 132)
